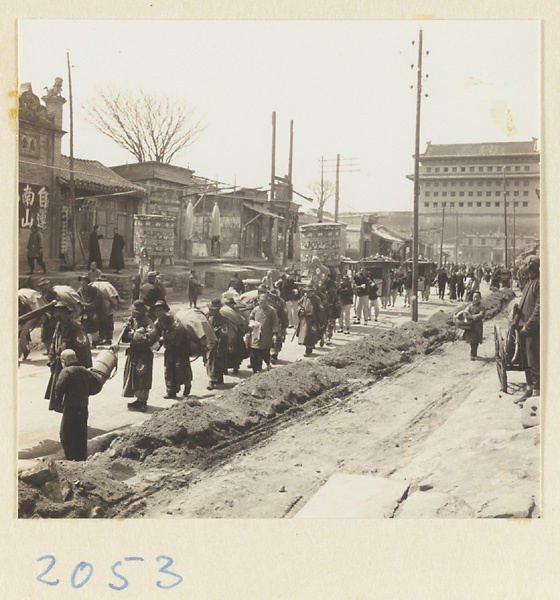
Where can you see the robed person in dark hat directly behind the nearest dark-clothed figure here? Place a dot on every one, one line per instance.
(68, 335)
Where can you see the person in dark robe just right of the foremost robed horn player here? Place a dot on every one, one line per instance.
(176, 358)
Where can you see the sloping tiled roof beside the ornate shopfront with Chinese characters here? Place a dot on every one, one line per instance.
(92, 176)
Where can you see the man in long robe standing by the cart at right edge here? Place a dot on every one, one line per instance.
(529, 329)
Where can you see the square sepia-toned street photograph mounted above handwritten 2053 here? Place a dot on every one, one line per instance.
(279, 269)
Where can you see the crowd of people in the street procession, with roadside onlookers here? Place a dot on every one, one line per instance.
(240, 325)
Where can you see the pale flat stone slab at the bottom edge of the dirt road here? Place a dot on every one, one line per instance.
(346, 496)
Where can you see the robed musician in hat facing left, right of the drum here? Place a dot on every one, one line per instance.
(139, 331)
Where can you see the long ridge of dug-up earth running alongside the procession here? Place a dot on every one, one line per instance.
(194, 436)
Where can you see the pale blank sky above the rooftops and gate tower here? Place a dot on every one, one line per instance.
(346, 85)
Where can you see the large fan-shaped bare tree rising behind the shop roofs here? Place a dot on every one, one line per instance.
(149, 126)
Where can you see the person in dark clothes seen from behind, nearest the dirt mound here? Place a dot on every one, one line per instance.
(73, 387)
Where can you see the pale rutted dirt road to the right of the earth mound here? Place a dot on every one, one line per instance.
(440, 424)
